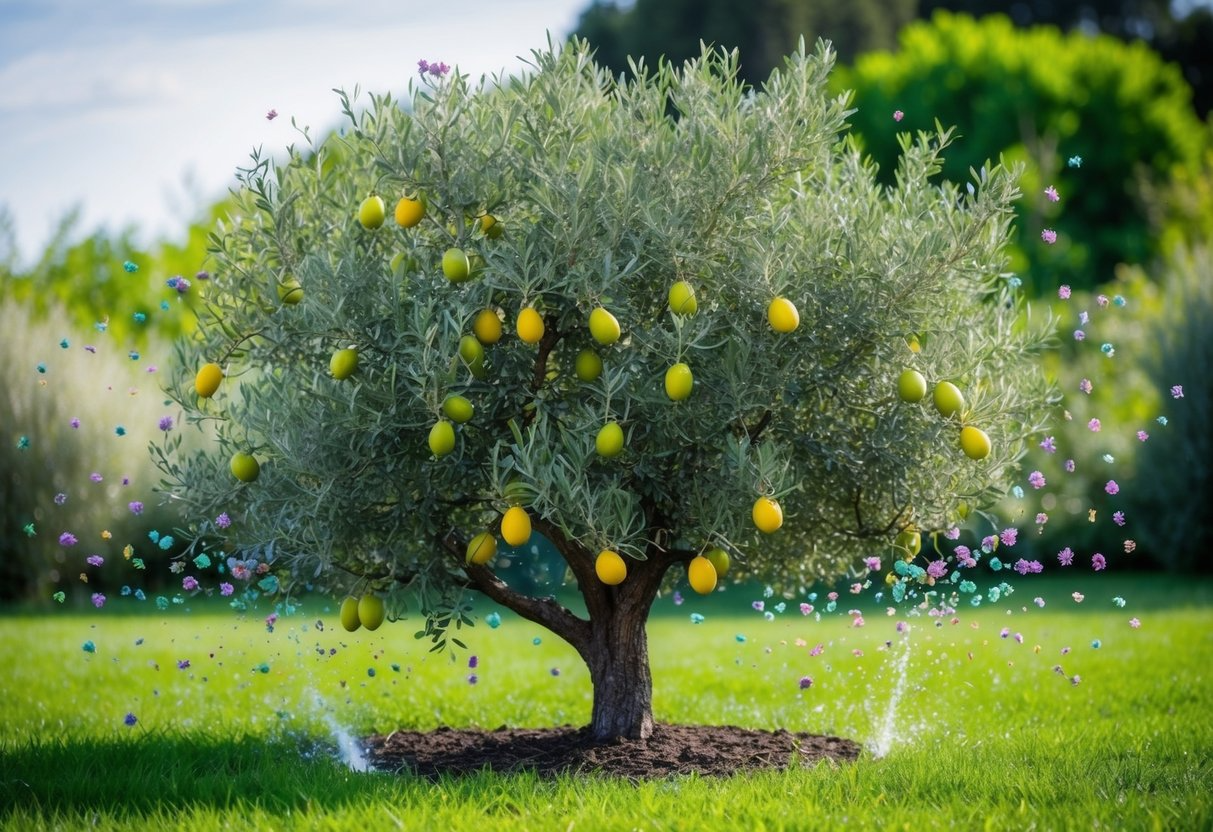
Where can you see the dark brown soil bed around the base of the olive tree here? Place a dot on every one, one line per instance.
(705, 750)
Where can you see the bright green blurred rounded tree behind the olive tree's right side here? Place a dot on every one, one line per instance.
(1043, 98)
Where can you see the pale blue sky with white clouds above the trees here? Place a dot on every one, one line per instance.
(139, 112)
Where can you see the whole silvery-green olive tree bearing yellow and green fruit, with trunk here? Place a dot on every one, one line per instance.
(660, 318)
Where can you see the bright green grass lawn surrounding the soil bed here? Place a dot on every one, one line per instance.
(984, 734)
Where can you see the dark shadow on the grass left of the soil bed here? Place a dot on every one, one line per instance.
(151, 773)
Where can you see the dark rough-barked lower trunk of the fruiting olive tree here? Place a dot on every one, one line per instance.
(618, 658)
